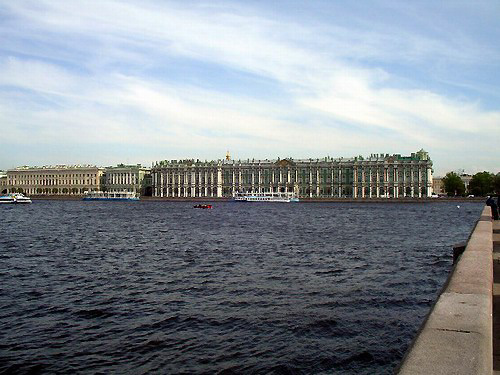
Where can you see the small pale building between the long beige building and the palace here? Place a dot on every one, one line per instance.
(125, 178)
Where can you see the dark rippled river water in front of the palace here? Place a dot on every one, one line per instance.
(160, 287)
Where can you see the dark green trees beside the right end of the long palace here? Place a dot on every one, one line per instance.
(481, 184)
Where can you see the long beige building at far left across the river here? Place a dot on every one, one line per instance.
(55, 180)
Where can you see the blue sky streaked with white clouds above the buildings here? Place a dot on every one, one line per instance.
(108, 82)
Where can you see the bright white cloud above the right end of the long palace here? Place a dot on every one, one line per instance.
(414, 114)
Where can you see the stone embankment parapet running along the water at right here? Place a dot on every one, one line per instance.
(457, 337)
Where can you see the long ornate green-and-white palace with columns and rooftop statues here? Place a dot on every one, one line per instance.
(377, 176)
